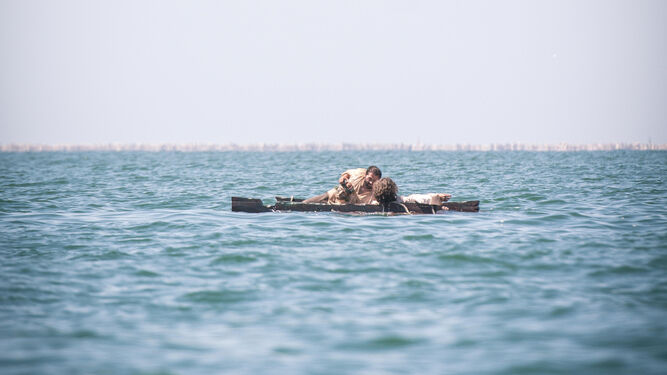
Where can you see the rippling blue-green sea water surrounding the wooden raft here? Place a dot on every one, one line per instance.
(132, 262)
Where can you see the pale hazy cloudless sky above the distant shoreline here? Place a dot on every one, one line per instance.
(437, 72)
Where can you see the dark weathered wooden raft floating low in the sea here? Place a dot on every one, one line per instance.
(253, 205)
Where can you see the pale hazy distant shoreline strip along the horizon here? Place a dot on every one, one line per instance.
(276, 147)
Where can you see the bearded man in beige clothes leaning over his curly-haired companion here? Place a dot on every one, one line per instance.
(355, 186)
